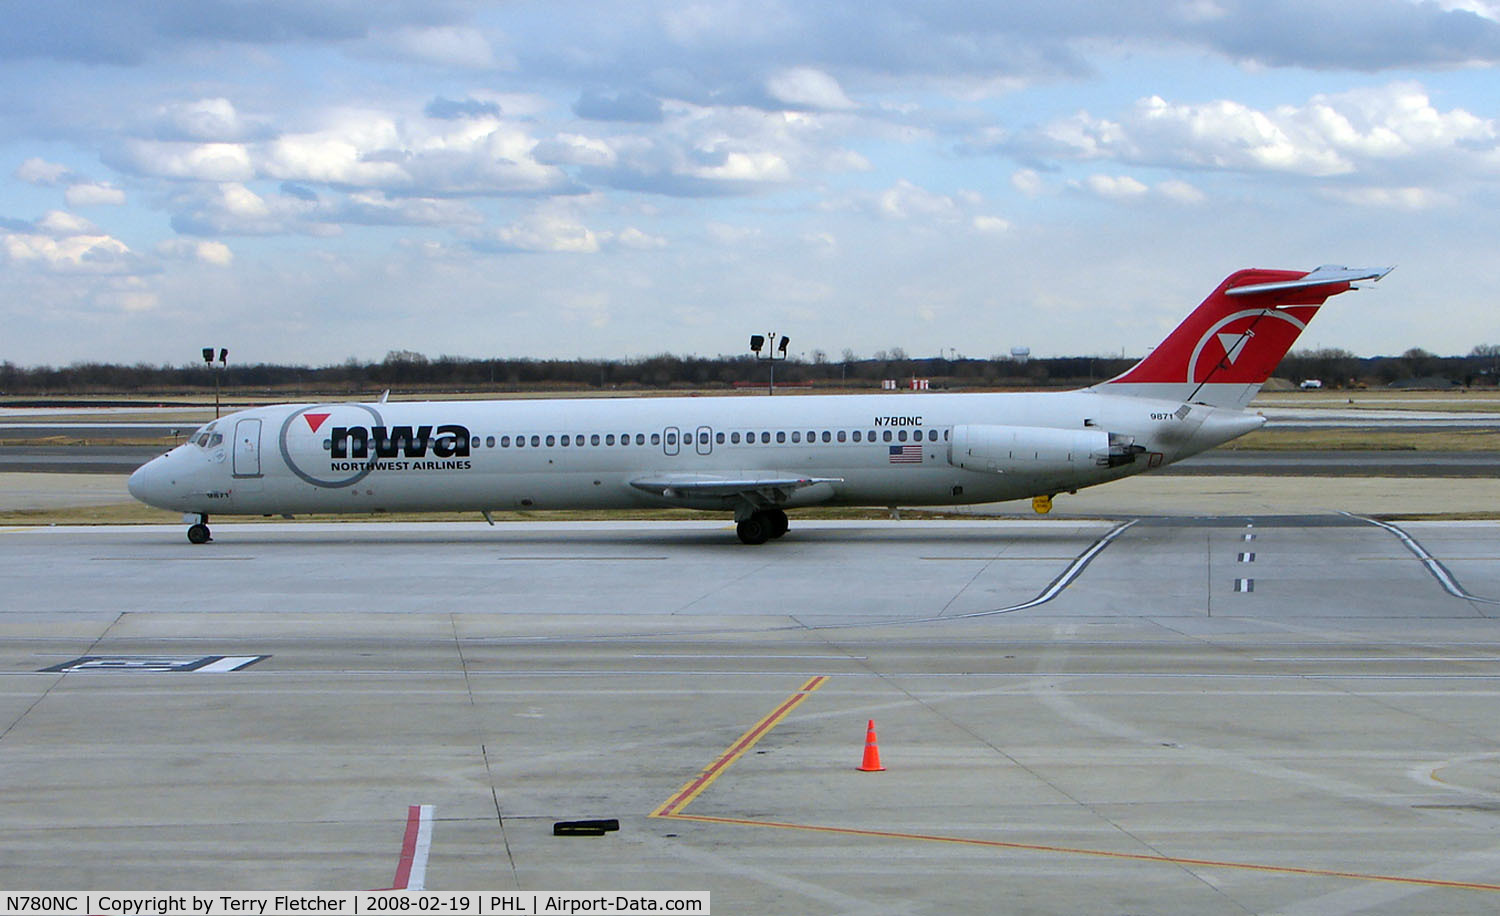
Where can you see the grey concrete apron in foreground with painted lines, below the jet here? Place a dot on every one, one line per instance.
(1084, 716)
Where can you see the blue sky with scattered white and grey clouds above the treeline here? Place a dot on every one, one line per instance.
(311, 182)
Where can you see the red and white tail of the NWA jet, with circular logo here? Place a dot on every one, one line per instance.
(1232, 343)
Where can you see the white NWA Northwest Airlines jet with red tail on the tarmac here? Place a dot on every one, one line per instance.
(754, 457)
